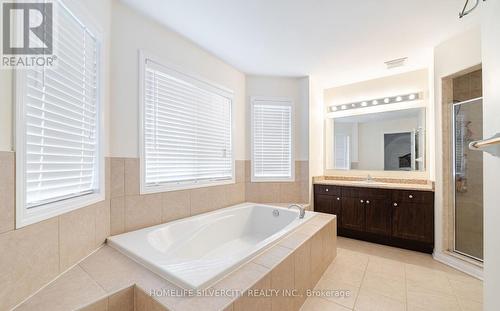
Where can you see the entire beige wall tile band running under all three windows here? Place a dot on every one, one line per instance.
(58, 243)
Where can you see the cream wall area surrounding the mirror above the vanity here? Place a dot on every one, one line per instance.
(415, 81)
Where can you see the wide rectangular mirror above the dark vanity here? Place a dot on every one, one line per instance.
(384, 141)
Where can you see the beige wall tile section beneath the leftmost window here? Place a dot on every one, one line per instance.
(34, 255)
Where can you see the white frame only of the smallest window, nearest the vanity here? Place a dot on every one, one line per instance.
(275, 101)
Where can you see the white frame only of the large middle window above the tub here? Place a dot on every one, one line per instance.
(214, 87)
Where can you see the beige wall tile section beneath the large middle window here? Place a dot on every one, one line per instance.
(131, 211)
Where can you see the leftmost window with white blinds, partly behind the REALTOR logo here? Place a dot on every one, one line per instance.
(58, 146)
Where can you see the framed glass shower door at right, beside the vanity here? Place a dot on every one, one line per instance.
(468, 177)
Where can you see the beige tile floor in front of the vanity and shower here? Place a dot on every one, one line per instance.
(383, 278)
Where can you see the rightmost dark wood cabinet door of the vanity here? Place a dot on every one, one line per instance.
(413, 221)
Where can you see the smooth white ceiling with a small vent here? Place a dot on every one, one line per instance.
(339, 41)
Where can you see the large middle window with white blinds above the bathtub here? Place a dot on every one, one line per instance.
(186, 131)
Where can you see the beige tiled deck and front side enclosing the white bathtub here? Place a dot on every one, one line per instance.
(296, 262)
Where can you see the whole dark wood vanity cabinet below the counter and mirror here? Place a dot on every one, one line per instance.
(400, 218)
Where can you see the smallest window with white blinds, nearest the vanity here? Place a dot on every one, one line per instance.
(272, 141)
